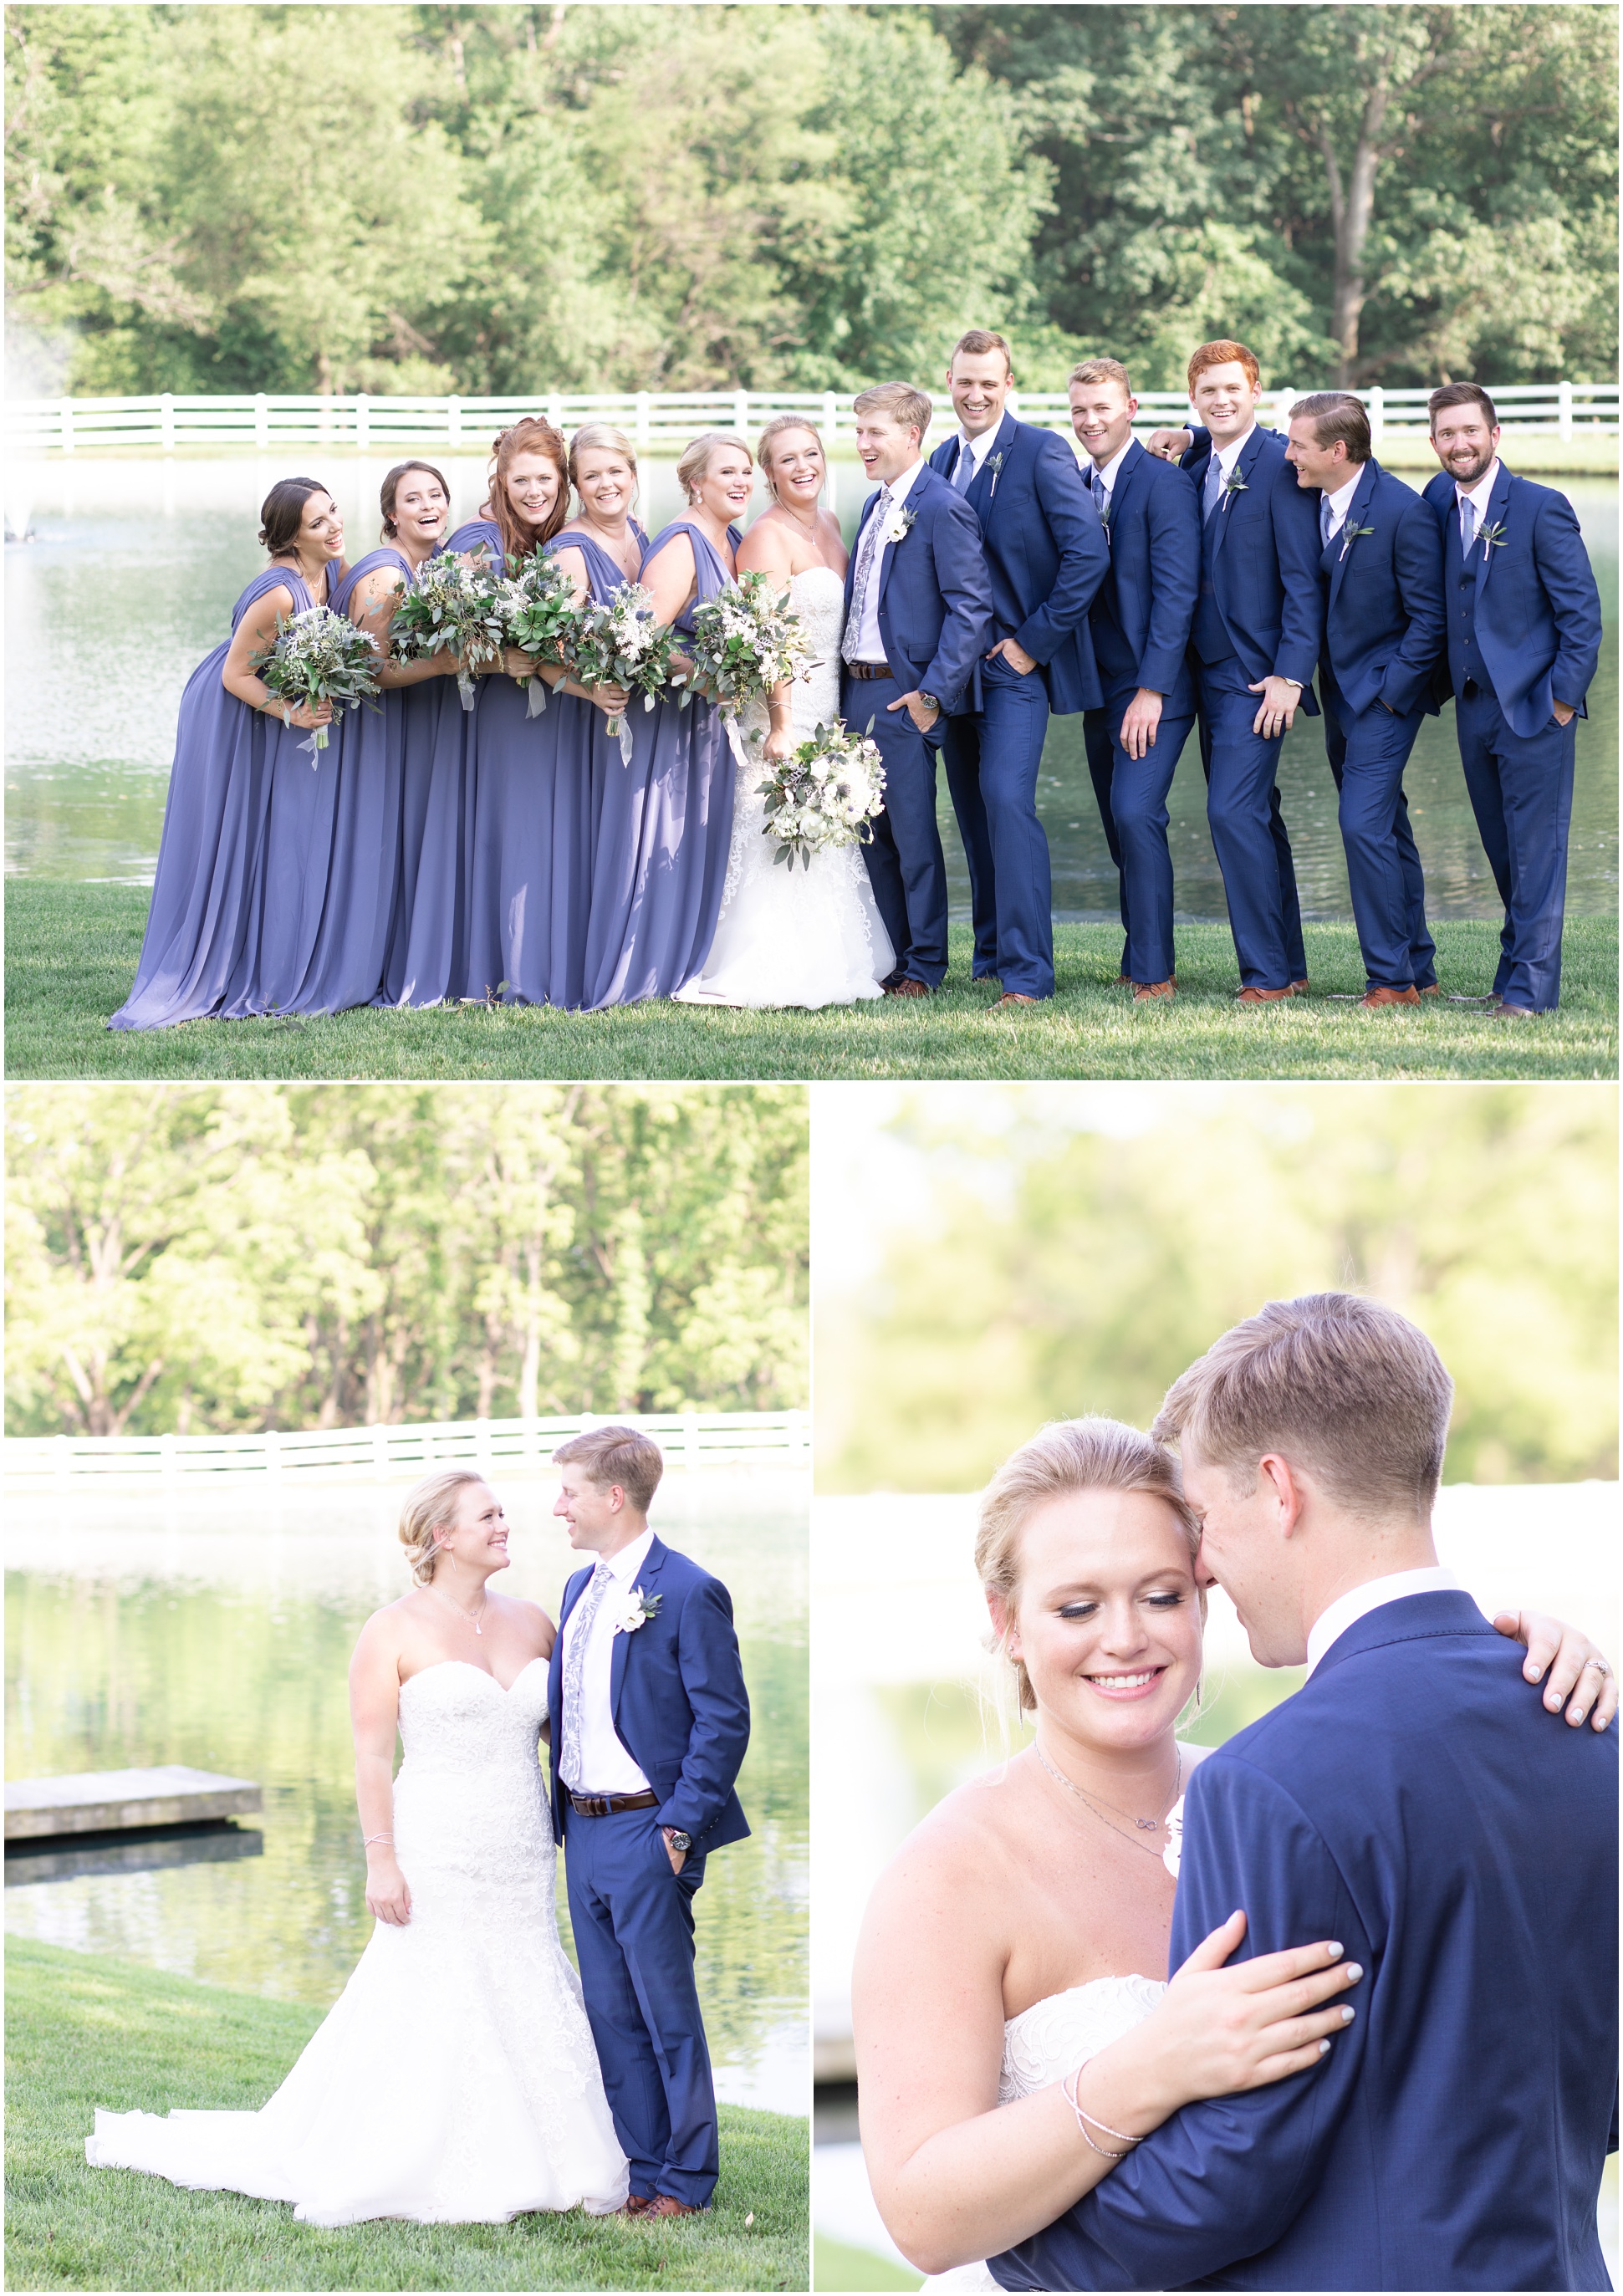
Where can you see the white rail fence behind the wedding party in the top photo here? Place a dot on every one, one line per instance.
(653, 419)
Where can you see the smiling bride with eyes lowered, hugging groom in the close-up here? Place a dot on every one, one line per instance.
(1014, 2033)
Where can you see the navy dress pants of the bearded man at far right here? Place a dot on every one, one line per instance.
(1521, 793)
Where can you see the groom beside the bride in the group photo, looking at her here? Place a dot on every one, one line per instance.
(917, 619)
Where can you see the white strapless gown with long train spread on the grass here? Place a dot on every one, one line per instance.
(456, 2079)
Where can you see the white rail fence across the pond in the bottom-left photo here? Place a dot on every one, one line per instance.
(385, 1452)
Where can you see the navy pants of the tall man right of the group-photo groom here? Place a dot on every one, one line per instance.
(993, 759)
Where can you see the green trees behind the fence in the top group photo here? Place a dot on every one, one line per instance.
(639, 199)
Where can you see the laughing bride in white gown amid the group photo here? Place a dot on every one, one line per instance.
(793, 936)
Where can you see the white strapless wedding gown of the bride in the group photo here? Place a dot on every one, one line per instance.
(793, 936)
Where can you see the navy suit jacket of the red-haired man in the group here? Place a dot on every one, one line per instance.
(1266, 564)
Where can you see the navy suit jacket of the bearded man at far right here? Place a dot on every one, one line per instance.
(1537, 603)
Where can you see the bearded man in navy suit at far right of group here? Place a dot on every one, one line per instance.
(1523, 649)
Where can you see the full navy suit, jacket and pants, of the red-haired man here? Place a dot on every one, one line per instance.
(1259, 614)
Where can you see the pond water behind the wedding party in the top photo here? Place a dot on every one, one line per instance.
(137, 564)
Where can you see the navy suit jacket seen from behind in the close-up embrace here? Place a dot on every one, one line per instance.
(1418, 1804)
